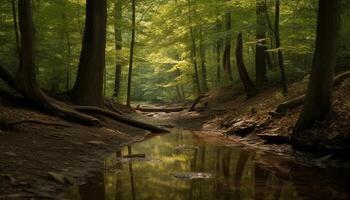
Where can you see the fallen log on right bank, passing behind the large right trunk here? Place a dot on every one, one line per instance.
(298, 101)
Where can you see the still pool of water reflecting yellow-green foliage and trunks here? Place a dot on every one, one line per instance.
(235, 174)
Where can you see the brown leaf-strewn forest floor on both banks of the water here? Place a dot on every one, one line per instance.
(42, 161)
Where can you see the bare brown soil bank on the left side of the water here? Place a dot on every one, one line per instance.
(30, 151)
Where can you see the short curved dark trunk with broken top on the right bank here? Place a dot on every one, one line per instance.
(243, 74)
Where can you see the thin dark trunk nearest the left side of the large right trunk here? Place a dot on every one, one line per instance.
(278, 46)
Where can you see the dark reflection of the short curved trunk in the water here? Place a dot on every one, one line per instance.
(241, 163)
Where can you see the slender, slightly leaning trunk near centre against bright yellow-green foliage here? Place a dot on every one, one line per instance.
(194, 51)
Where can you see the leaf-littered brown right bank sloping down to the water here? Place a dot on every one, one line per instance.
(254, 122)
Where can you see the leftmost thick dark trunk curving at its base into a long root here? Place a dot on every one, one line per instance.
(26, 82)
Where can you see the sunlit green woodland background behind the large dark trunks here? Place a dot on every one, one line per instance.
(166, 33)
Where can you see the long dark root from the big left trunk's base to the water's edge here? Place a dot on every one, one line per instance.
(117, 117)
